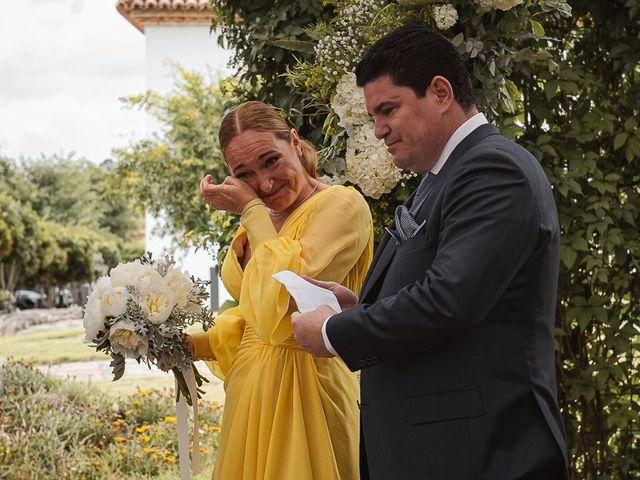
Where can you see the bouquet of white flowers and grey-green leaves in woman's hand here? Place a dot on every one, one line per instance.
(141, 310)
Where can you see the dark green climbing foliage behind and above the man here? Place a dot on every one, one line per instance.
(568, 89)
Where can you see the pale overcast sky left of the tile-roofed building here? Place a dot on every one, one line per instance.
(63, 66)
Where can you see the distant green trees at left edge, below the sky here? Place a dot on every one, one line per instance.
(59, 224)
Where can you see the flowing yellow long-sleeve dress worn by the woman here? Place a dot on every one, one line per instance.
(287, 415)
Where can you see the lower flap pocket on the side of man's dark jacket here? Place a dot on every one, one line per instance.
(441, 406)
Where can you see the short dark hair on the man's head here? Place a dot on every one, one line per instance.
(412, 55)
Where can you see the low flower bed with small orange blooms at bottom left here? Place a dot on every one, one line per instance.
(55, 429)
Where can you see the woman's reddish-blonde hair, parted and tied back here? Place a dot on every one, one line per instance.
(260, 117)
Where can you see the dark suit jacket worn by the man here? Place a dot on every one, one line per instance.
(455, 332)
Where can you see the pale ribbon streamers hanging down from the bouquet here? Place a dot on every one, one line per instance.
(183, 429)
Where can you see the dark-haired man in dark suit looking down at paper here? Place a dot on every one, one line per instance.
(454, 328)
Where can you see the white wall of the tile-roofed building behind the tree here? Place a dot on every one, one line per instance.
(193, 48)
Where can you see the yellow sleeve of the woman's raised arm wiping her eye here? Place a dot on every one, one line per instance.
(325, 242)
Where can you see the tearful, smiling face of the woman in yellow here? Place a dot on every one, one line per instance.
(270, 166)
